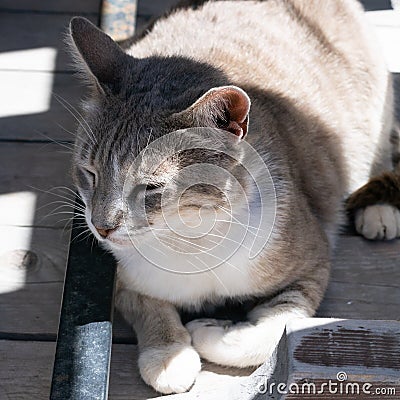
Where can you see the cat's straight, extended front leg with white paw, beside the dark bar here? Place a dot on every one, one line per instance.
(167, 361)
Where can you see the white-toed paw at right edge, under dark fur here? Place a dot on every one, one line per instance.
(378, 222)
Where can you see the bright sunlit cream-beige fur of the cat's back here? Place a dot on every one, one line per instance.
(318, 54)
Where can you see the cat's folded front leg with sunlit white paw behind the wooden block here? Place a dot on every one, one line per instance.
(253, 342)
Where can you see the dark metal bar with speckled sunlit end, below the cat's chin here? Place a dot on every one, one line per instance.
(82, 361)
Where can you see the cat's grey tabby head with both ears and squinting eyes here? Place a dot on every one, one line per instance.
(159, 140)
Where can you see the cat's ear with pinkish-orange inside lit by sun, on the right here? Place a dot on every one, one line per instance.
(227, 107)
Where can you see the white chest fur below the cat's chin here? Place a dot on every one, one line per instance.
(182, 283)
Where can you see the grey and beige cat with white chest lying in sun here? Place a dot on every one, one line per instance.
(214, 161)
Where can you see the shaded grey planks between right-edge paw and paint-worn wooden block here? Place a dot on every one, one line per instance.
(365, 280)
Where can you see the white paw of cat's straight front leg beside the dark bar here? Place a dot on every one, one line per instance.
(169, 369)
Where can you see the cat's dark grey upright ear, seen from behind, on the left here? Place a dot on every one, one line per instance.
(97, 54)
